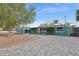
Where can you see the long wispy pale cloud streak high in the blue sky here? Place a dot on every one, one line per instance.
(53, 10)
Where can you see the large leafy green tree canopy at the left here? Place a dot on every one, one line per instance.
(13, 14)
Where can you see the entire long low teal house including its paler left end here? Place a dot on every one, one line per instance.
(60, 30)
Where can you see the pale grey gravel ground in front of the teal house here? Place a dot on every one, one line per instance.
(43, 45)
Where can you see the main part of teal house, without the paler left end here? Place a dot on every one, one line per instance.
(60, 31)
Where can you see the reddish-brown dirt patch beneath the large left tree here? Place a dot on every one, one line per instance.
(12, 39)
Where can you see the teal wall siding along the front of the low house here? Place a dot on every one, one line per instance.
(46, 31)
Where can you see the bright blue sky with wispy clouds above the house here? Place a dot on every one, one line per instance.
(48, 12)
